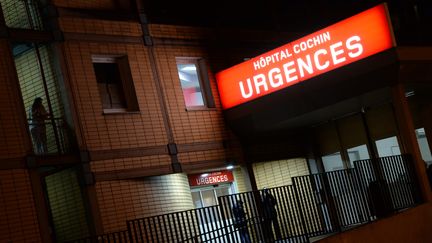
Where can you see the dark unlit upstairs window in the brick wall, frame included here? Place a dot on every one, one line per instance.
(115, 83)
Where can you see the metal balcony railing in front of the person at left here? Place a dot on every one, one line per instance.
(58, 138)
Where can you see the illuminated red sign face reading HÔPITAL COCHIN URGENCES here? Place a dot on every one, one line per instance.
(350, 40)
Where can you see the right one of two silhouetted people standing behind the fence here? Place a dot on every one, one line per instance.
(270, 216)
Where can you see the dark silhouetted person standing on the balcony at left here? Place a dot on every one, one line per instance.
(38, 115)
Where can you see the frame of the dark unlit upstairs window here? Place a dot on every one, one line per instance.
(126, 82)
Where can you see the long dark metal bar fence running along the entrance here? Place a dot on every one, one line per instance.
(313, 205)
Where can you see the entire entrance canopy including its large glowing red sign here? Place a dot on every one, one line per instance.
(327, 74)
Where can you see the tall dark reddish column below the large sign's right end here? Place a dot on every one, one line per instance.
(409, 139)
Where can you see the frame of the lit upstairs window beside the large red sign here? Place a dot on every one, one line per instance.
(203, 80)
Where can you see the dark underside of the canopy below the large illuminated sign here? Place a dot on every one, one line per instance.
(331, 95)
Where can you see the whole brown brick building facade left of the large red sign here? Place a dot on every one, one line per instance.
(124, 167)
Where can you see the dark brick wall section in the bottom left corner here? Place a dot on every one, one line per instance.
(18, 220)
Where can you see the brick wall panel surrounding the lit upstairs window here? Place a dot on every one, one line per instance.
(188, 126)
